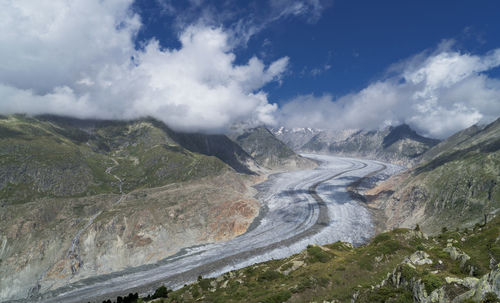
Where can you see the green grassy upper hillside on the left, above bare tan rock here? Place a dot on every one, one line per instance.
(57, 157)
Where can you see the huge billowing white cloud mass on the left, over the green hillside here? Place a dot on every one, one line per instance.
(78, 58)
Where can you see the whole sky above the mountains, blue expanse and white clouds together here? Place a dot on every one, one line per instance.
(203, 66)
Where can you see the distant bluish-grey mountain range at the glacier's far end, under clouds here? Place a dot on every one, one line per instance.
(400, 144)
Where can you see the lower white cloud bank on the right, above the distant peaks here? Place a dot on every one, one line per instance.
(437, 94)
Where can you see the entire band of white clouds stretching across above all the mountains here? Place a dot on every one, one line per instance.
(78, 58)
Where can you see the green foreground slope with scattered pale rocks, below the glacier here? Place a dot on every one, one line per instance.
(403, 266)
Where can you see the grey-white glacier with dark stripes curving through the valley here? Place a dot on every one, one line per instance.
(298, 208)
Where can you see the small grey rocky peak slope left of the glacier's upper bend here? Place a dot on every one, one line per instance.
(268, 151)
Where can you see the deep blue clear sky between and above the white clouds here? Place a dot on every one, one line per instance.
(350, 43)
